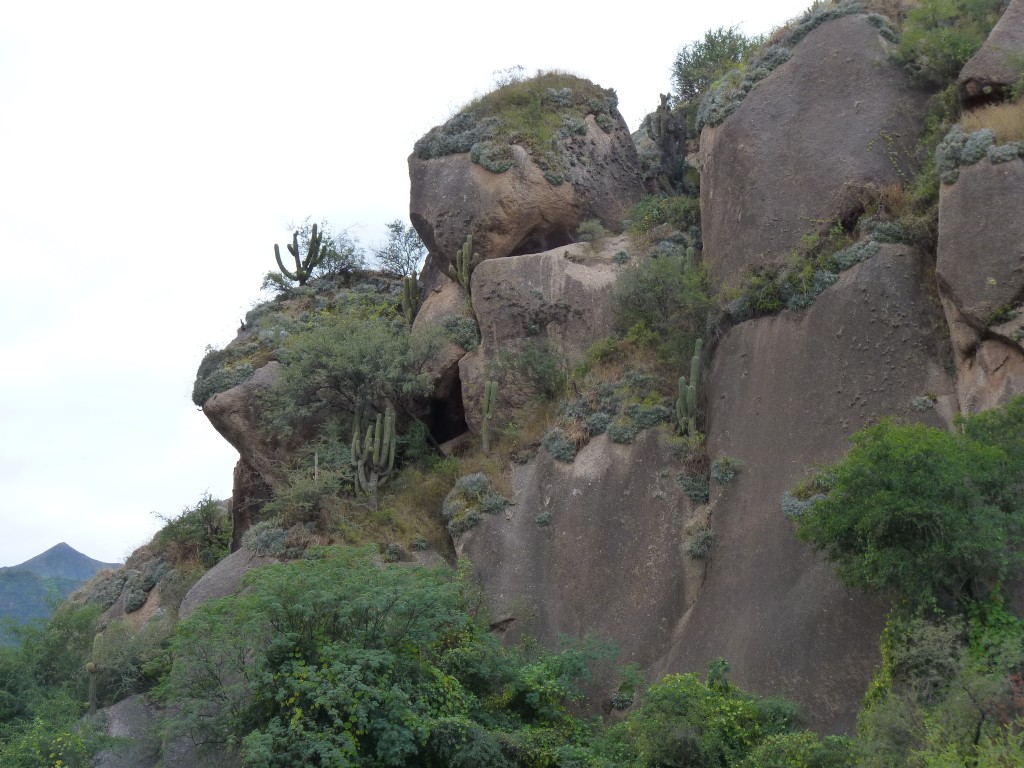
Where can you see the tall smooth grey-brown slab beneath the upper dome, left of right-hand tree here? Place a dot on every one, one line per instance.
(785, 394)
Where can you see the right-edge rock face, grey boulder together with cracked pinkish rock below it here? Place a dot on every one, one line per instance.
(980, 269)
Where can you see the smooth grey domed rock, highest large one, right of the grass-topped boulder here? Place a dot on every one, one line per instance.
(804, 145)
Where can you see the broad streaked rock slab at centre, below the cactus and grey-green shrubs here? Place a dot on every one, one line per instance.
(612, 559)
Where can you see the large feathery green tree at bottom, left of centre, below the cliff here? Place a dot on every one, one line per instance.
(336, 661)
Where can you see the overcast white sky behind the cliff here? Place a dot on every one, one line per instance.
(151, 156)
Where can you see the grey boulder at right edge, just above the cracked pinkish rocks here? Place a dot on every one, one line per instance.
(980, 263)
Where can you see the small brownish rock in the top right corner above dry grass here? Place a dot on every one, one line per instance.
(995, 69)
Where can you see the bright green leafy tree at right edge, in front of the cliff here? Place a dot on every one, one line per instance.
(923, 514)
